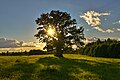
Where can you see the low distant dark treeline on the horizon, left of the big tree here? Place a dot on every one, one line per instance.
(31, 52)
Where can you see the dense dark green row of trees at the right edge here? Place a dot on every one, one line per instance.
(108, 48)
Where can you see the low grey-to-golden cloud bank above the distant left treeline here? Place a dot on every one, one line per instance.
(12, 43)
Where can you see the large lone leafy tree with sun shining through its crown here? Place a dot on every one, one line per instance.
(59, 31)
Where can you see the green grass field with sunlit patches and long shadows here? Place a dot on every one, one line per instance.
(48, 67)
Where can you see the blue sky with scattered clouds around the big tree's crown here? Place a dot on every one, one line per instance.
(17, 17)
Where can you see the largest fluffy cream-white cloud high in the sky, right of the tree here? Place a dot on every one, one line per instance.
(92, 17)
